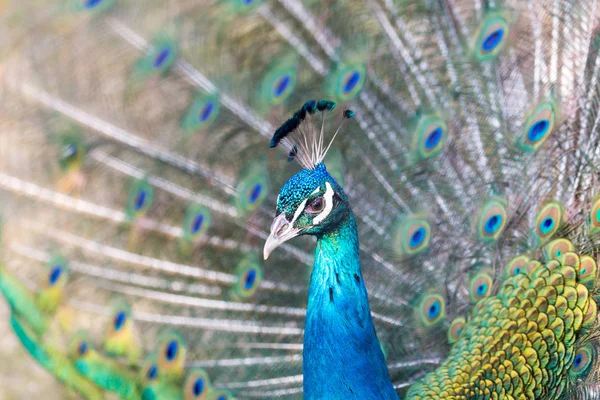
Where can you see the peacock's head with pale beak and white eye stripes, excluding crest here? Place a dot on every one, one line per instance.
(310, 203)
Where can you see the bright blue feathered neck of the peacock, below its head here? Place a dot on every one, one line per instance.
(342, 357)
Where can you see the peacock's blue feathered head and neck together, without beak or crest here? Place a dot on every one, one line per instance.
(342, 357)
